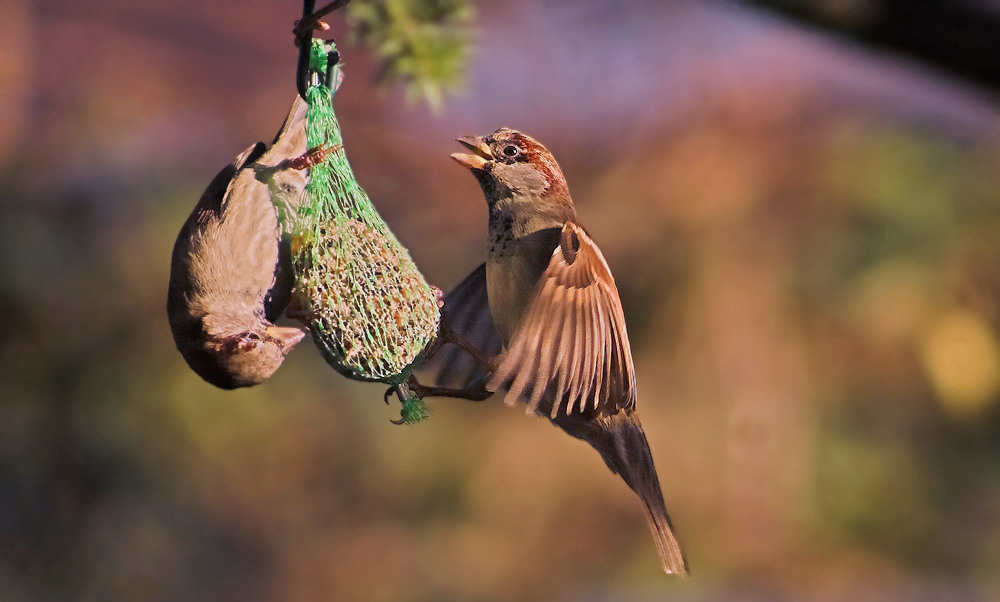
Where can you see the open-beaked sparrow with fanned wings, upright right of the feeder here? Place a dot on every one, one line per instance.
(557, 317)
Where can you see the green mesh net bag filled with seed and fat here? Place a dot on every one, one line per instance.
(370, 311)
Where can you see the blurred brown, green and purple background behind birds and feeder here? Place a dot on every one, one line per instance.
(805, 231)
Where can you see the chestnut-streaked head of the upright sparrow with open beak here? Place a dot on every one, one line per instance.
(508, 163)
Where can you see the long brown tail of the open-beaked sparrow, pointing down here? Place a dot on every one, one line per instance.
(622, 443)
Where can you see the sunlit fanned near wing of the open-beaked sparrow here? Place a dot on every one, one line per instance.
(570, 353)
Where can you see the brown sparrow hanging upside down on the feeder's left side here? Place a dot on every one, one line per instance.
(230, 272)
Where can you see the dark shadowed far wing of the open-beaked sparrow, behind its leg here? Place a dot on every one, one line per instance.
(467, 312)
